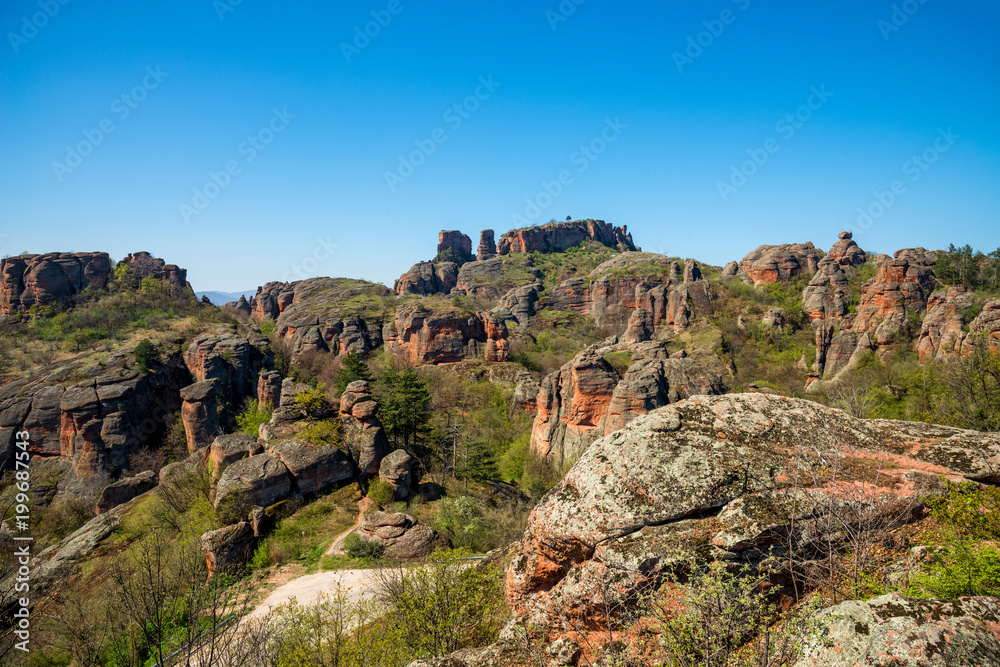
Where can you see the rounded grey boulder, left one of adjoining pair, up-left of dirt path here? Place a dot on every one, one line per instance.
(258, 480)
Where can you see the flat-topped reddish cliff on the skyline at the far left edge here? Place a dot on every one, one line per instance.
(50, 279)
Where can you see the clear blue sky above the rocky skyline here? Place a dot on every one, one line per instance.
(322, 178)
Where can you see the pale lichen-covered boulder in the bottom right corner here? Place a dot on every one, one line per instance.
(908, 632)
